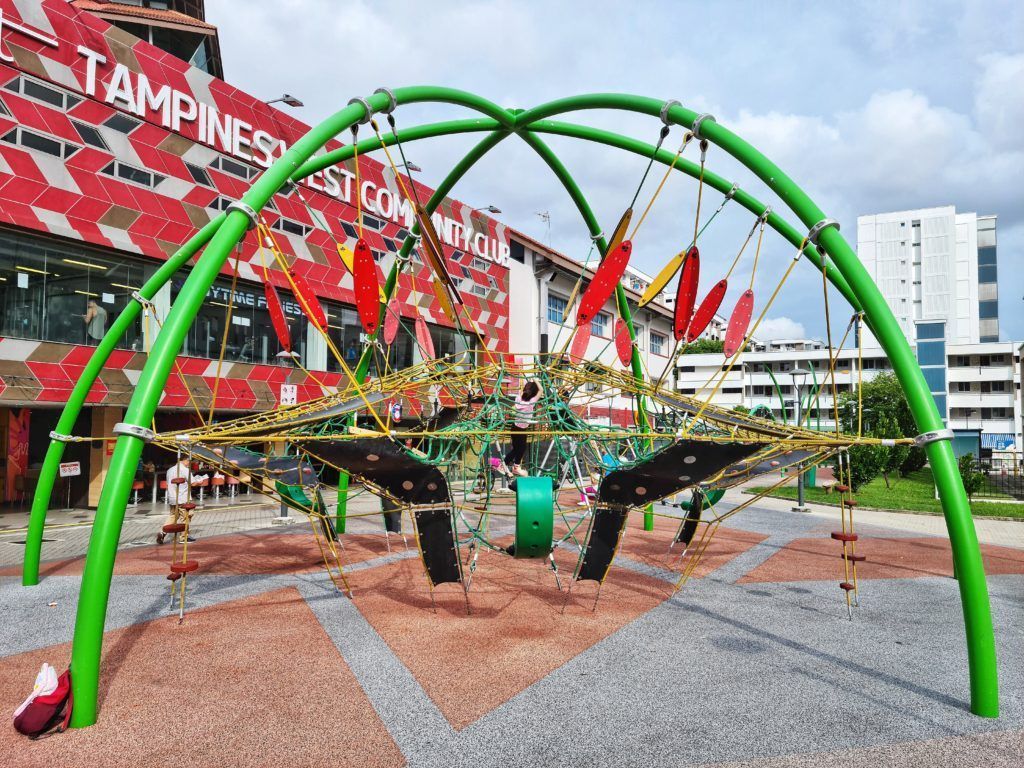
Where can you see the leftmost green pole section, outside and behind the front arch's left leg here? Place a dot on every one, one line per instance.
(76, 401)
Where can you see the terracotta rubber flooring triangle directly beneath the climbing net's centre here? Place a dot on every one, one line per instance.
(515, 636)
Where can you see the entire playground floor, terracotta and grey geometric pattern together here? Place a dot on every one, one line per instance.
(753, 664)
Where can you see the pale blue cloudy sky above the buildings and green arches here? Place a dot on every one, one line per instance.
(870, 107)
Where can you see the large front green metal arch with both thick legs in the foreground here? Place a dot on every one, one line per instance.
(103, 547)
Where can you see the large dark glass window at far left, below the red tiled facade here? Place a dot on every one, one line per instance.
(49, 289)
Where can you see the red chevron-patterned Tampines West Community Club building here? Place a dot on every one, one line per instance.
(113, 154)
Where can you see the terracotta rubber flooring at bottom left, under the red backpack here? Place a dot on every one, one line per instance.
(248, 682)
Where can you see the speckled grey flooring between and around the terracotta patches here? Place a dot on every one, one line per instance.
(724, 673)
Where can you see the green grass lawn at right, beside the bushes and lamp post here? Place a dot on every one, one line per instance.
(916, 493)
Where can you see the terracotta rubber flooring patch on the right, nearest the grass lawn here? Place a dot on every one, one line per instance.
(819, 560)
